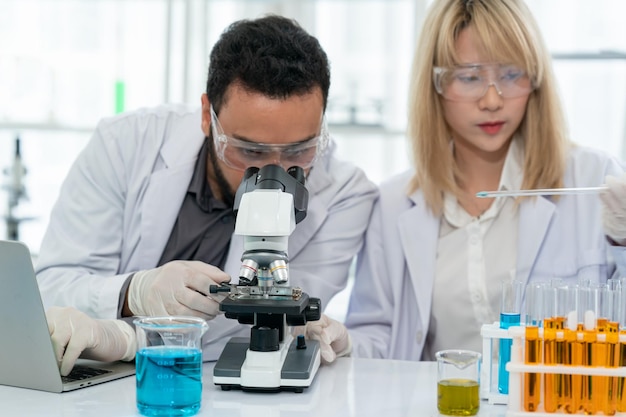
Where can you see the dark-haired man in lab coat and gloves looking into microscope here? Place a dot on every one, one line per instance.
(144, 221)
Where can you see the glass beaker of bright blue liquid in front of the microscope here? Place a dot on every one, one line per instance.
(169, 365)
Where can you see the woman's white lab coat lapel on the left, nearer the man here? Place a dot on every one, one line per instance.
(419, 231)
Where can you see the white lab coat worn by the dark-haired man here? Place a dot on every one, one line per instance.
(120, 200)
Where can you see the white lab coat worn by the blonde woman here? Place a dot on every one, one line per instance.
(390, 305)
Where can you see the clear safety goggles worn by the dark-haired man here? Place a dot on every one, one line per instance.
(242, 154)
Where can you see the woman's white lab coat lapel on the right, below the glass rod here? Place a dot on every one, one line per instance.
(535, 217)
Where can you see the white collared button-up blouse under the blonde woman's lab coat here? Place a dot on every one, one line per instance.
(474, 255)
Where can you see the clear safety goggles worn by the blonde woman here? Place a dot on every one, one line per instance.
(471, 82)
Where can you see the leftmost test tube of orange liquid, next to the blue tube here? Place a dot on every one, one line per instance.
(533, 347)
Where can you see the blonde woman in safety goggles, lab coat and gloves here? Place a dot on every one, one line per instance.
(484, 115)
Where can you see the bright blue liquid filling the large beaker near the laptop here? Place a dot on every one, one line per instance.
(169, 381)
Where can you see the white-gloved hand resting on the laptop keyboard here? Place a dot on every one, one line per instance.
(74, 334)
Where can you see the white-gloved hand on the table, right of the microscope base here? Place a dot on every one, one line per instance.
(333, 336)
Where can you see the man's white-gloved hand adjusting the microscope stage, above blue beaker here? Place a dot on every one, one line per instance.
(176, 288)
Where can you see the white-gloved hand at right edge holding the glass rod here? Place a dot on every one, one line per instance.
(614, 209)
